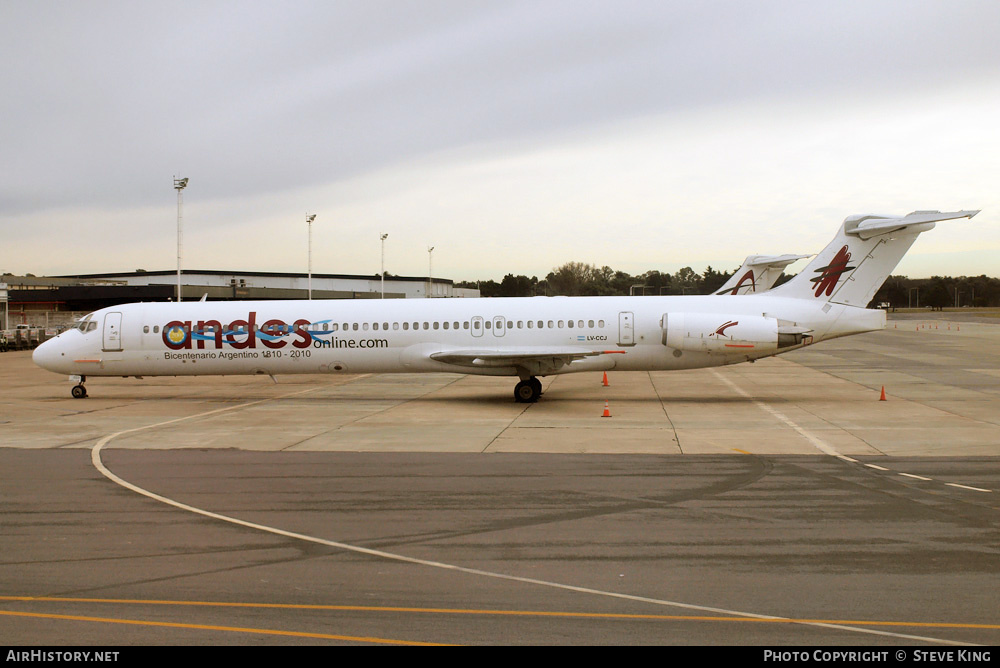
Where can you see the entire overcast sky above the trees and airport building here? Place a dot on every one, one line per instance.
(511, 136)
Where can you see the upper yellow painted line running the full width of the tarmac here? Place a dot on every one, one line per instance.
(486, 612)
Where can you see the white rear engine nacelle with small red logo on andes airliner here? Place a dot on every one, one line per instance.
(721, 334)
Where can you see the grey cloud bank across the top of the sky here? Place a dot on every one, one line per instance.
(105, 101)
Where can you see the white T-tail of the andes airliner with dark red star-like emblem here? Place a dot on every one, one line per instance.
(865, 251)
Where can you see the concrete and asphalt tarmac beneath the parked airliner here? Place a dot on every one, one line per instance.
(773, 503)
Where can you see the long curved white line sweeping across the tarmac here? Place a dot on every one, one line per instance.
(95, 457)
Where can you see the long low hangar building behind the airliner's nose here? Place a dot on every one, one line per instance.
(57, 301)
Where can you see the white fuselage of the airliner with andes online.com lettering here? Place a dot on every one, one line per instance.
(385, 336)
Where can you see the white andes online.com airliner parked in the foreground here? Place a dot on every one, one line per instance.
(524, 337)
